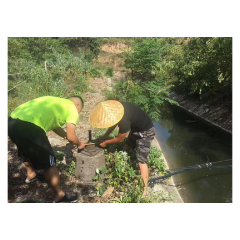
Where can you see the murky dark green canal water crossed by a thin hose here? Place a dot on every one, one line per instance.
(187, 141)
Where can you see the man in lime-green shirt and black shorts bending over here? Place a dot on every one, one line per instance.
(27, 127)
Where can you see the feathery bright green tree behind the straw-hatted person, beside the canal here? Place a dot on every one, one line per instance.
(147, 86)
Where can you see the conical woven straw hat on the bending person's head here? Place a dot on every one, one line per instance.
(106, 114)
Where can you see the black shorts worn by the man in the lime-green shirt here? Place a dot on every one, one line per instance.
(32, 143)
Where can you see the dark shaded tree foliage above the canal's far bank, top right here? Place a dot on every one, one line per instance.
(202, 65)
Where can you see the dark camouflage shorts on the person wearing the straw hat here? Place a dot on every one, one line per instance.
(142, 142)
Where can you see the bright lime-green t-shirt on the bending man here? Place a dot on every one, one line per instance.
(47, 112)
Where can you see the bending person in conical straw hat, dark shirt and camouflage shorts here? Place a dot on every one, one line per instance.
(128, 117)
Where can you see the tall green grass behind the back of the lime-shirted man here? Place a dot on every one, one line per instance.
(62, 75)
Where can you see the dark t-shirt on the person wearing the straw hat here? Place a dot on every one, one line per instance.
(134, 118)
